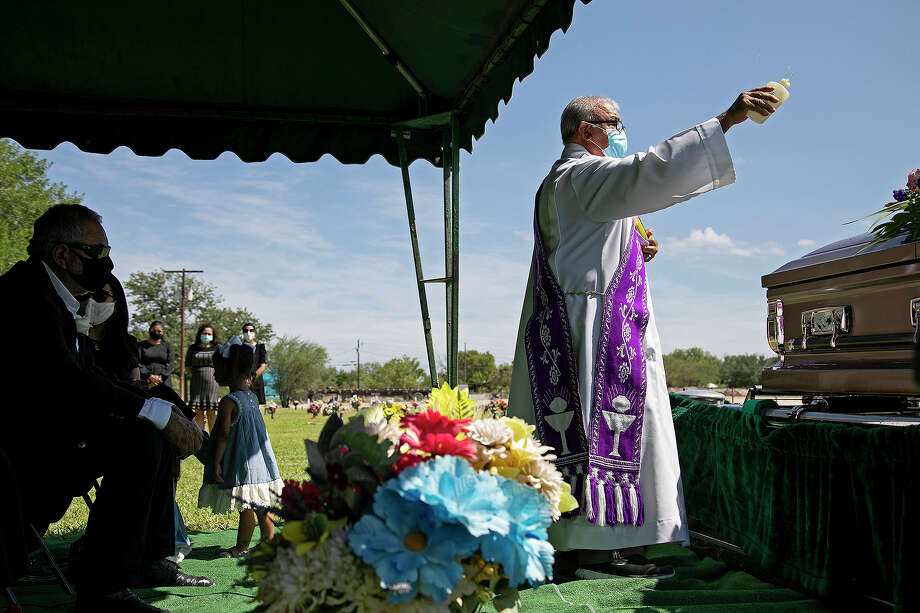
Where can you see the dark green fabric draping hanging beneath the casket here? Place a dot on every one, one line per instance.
(830, 508)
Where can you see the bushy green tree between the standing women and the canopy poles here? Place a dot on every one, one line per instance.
(297, 366)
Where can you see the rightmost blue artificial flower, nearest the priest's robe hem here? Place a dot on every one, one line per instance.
(524, 553)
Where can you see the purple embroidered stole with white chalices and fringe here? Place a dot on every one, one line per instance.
(602, 467)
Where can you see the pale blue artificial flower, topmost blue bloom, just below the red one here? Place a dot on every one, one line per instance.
(457, 493)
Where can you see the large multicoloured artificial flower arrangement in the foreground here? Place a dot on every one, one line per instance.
(439, 509)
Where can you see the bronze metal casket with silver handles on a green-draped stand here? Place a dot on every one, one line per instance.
(843, 320)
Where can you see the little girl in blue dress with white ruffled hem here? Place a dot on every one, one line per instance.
(241, 472)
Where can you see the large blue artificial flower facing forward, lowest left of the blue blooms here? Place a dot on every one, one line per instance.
(409, 549)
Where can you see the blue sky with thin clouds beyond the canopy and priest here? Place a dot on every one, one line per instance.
(321, 250)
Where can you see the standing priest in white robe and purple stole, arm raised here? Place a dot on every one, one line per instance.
(588, 369)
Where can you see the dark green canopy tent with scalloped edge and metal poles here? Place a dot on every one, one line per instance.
(407, 79)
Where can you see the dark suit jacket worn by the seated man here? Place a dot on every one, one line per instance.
(54, 400)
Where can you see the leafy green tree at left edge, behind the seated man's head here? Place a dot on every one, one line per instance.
(25, 193)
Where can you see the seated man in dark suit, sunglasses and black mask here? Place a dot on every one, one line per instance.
(130, 527)
